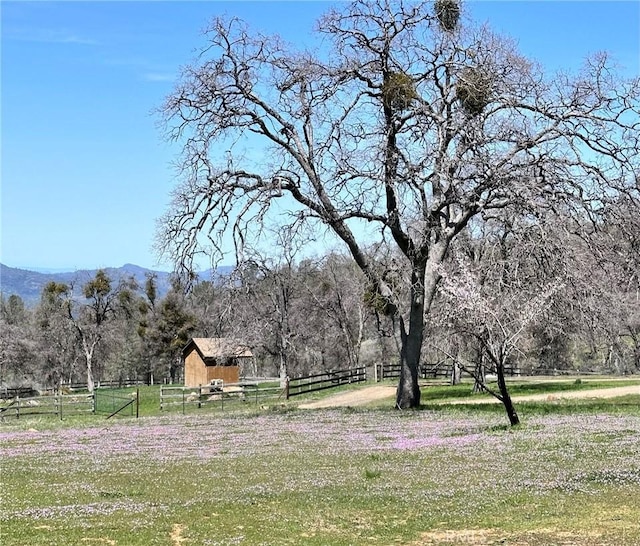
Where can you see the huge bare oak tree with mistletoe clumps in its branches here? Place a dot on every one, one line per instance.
(406, 121)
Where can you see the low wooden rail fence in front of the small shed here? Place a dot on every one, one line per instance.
(219, 395)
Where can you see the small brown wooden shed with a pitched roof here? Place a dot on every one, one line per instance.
(209, 358)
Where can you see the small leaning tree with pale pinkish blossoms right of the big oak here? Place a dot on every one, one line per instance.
(496, 301)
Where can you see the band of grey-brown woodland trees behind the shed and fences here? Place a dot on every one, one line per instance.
(543, 296)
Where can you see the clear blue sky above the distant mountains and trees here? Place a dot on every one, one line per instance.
(85, 171)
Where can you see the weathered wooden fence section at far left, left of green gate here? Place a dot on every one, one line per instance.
(59, 405)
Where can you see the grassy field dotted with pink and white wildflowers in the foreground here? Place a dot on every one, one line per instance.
(447, 475)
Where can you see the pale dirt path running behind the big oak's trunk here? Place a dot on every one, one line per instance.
(362, 397)
